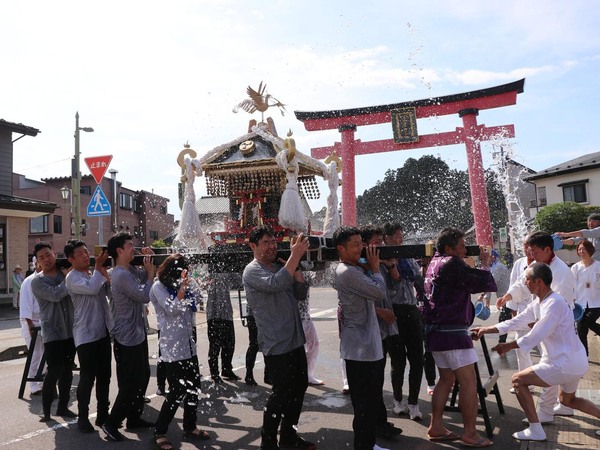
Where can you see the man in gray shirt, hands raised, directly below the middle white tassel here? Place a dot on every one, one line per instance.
(269, 293)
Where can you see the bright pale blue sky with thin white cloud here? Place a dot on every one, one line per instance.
(150, 76)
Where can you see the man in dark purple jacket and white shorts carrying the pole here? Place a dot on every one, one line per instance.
(448, 314)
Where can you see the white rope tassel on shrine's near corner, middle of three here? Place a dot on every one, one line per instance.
(291, 210)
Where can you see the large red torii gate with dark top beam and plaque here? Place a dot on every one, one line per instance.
(403, 117)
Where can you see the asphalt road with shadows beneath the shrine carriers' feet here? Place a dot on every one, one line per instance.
(233, 412)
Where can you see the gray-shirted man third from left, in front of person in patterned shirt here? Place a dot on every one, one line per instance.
(130, 288)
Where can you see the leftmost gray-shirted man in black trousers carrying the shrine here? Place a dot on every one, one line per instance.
(56, 319)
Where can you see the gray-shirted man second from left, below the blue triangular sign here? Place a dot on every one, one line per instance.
(91, 326)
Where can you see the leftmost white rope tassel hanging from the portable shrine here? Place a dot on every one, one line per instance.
(190, 231)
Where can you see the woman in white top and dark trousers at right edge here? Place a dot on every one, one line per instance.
(587, 290)
